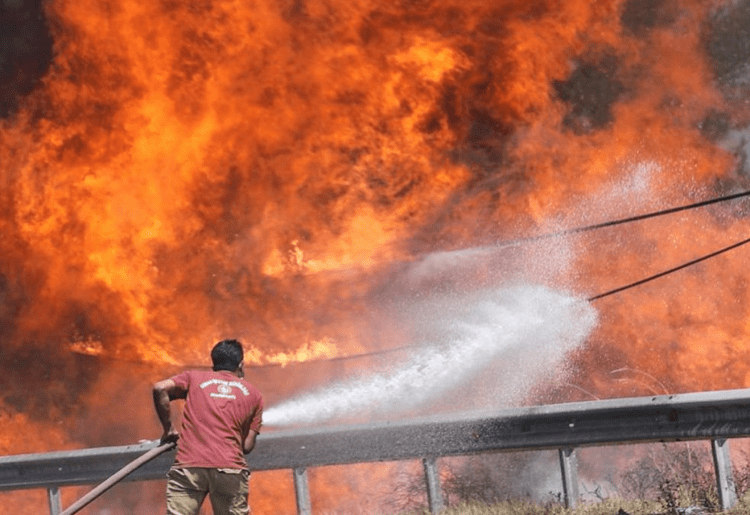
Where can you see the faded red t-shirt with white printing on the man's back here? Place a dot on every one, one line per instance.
(220, 410)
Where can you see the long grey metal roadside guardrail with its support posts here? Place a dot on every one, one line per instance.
(715, 416)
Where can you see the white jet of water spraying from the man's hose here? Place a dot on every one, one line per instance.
(521, 334)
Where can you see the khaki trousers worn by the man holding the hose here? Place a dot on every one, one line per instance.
(187, 488)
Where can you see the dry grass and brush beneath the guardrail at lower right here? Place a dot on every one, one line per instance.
(666, 480)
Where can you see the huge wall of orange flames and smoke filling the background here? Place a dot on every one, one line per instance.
(178, 172)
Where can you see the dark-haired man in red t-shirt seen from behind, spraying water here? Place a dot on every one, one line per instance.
(222, 416)
